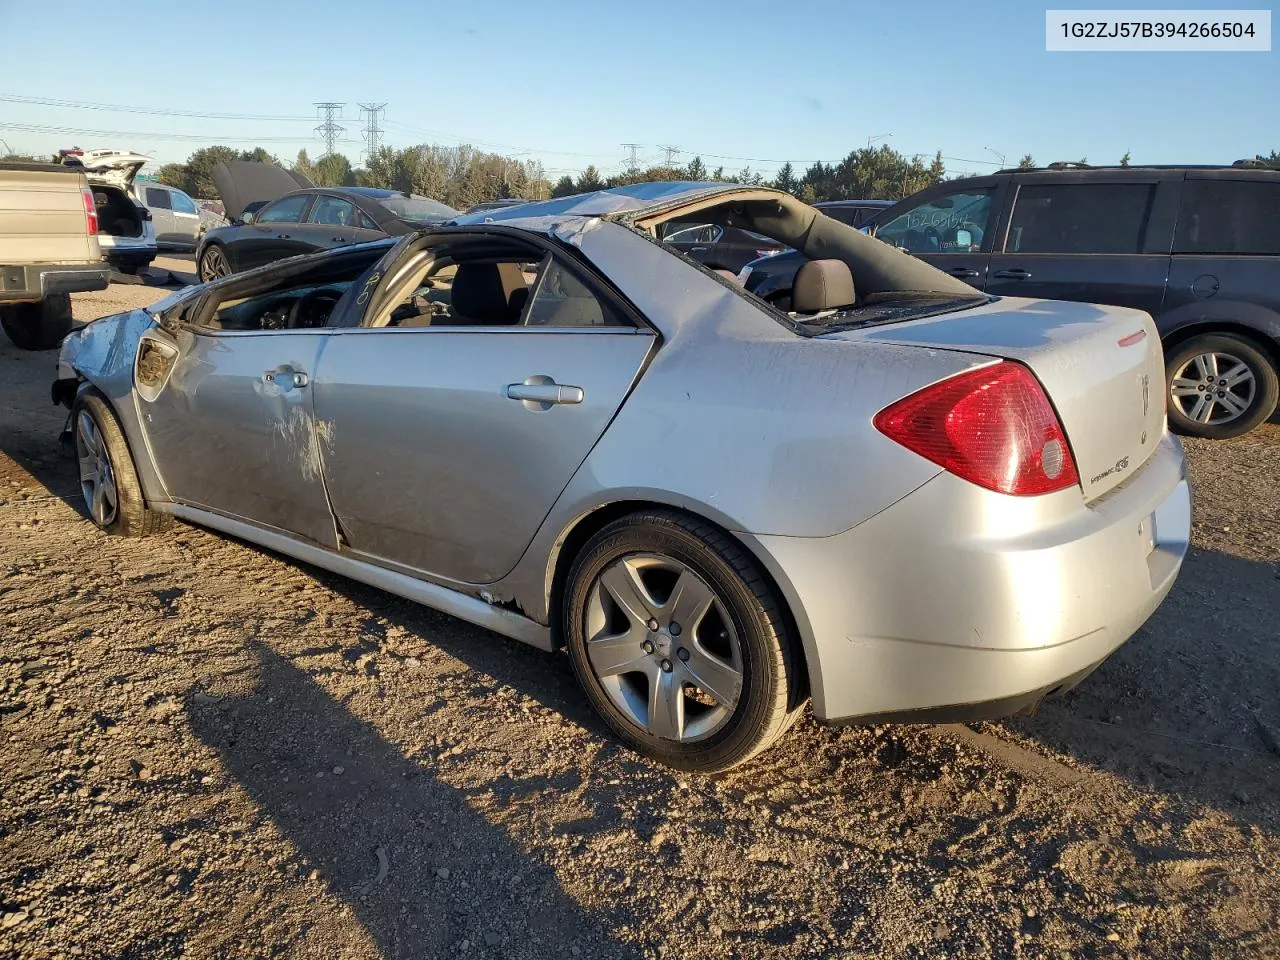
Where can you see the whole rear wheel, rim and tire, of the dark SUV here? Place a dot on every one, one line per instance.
(1219, 387)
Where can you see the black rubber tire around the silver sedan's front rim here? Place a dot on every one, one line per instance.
(130, 515)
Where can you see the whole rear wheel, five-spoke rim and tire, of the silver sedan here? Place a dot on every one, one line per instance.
(680, 643)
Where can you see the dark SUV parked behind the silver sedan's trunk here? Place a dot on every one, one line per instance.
(1197, 248)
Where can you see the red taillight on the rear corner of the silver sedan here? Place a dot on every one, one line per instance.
(993, 427)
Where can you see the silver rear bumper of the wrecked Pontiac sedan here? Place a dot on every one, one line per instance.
(957, 604)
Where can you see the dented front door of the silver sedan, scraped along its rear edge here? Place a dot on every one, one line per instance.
(228, 419)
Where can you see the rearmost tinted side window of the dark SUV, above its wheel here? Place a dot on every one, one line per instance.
(1229, 217)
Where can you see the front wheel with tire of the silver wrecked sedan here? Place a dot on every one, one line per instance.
(109, 484)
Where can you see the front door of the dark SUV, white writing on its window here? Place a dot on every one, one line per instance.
(949, 226)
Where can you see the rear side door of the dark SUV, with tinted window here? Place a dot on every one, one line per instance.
(1098, 237)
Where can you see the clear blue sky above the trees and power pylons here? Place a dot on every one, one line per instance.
(569, 83)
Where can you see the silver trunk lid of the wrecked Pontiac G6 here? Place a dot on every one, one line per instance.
(1101, 367)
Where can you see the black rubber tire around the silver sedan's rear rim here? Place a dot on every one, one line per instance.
(772, 687)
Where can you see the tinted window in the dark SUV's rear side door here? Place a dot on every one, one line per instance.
(1080, 218)
